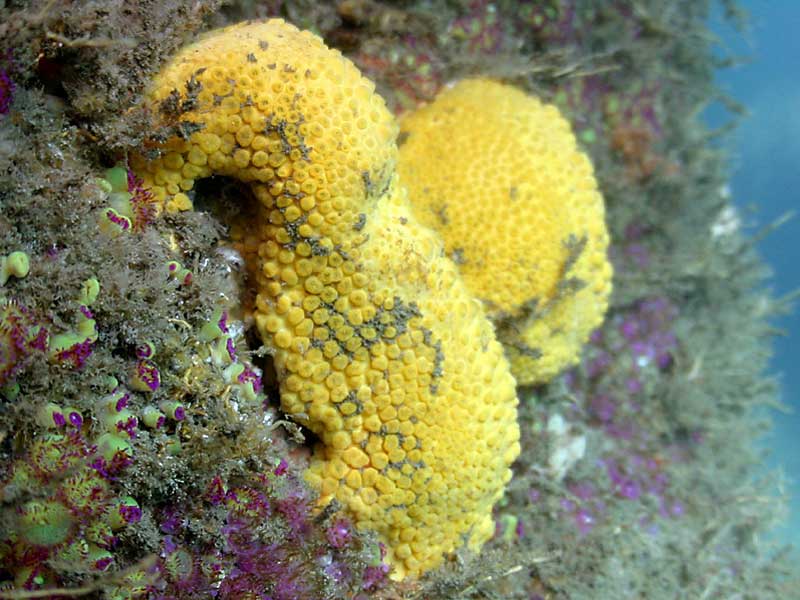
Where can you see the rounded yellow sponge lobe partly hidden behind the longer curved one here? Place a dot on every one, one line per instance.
(500, 176)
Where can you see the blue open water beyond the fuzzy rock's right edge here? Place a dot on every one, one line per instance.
(765, 169)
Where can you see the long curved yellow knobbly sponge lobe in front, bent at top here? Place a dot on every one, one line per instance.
(379, 347)
